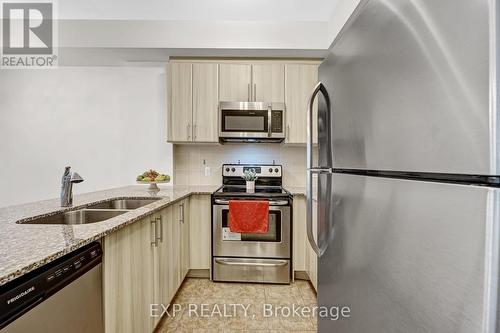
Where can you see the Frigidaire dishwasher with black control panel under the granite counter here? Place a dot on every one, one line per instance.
(62, 296)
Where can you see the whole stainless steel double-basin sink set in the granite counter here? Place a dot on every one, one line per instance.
(93, 213)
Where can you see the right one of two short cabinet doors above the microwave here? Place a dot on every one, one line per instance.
(268, 83)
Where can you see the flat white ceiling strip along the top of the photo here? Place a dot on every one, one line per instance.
(199, 10)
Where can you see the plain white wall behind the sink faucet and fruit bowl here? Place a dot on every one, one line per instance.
(107, 123)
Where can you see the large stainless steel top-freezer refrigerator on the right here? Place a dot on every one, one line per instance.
(408, 172)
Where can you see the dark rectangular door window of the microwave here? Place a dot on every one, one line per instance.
(244, 121)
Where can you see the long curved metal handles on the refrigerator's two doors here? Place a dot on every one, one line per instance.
(319, 249)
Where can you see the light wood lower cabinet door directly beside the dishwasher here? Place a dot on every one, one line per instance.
(128, 283)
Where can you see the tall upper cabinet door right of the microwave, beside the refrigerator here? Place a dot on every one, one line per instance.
(300, 81)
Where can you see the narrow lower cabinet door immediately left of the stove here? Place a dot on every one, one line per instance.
(200, 232)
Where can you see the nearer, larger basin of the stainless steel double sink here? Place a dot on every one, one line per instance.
(81, 216)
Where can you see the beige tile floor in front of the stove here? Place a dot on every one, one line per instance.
(206, 306)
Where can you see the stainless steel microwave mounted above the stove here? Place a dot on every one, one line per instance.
(251, 122)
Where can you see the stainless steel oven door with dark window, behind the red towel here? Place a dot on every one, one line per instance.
(273, 244)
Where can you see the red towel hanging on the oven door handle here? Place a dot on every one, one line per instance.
(249, 216)
